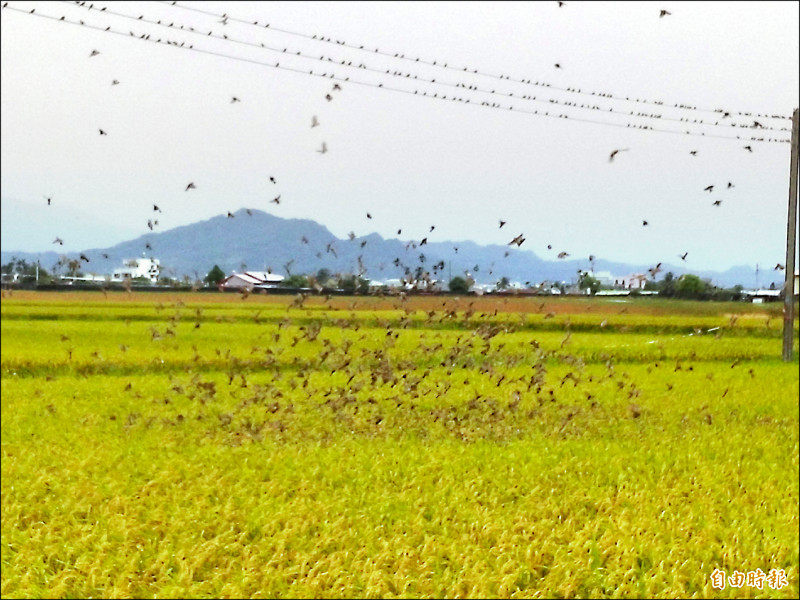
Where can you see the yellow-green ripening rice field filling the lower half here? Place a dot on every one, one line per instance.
(205, 445)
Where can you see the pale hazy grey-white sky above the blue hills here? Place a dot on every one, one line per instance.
(410, 161)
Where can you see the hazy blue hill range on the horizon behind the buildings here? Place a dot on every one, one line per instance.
(260, 241)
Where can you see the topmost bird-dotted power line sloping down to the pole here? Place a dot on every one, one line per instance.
(473, 71)
